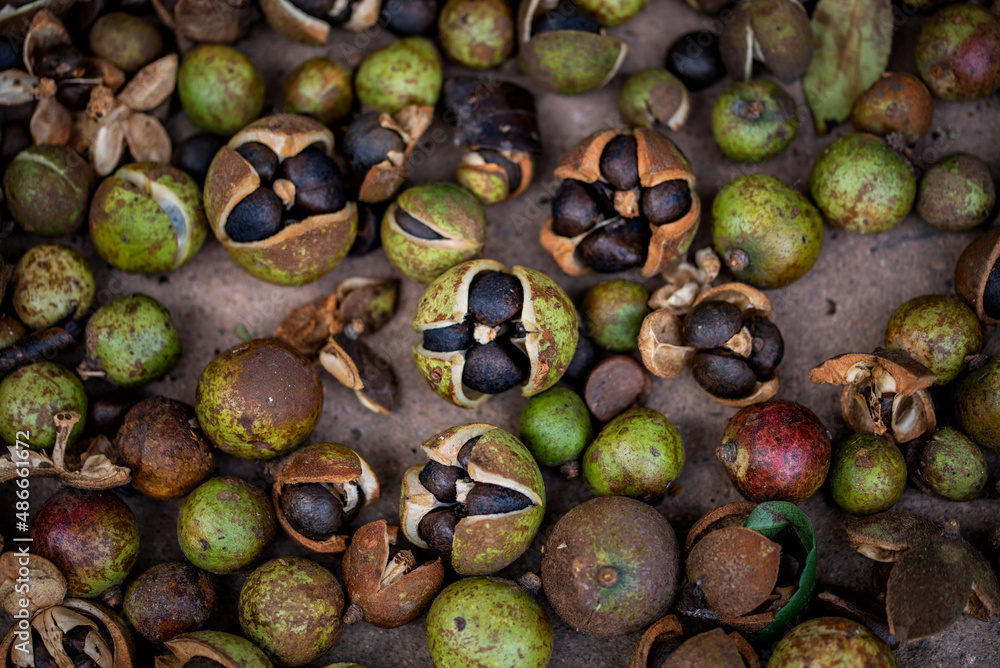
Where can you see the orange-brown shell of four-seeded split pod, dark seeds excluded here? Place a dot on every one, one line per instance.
(659, 160)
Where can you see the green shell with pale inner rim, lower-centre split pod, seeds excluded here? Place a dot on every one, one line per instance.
(483, 544)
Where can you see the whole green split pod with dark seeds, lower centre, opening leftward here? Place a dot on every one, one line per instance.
(478, 503)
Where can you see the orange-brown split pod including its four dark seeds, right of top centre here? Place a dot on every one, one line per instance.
(611, 228)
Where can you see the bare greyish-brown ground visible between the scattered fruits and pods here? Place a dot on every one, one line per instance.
(840, 306)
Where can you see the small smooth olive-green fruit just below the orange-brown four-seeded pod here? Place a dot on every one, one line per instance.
(612, 314)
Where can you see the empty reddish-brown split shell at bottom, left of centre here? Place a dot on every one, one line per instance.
(386, 593)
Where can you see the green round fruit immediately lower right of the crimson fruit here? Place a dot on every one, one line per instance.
(867, 474)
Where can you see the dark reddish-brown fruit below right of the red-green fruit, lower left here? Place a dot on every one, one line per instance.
(169, 599)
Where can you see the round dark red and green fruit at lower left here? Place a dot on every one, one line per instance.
(91, 537)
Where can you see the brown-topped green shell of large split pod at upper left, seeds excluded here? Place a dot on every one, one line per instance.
(300, 252)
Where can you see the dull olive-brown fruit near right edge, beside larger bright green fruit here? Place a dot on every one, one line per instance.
(957, 193)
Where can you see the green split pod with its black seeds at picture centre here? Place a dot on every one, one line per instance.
(486, 330)
